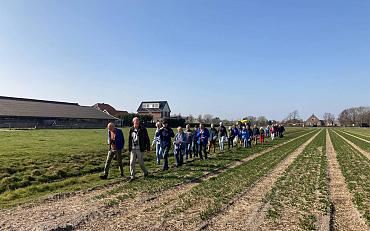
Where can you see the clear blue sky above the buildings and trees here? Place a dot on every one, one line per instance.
(226, 58)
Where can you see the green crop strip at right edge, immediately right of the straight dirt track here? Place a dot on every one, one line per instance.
(356, 170)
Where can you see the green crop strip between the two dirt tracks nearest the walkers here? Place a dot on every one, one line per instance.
(217, 192)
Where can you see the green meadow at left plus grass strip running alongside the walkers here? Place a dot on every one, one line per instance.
(38, 163)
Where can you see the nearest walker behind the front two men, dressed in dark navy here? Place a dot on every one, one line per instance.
(165, 134)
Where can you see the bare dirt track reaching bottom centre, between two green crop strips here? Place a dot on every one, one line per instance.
(248, 213)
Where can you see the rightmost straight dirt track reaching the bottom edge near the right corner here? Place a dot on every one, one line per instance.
(345, 215)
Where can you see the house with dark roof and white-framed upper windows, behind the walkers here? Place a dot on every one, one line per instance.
(158, 109)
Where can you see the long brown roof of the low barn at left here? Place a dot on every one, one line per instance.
(20, 107)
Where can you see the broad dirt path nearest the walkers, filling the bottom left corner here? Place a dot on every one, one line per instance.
(73, 211)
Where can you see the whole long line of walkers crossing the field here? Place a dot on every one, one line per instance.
(187, 143)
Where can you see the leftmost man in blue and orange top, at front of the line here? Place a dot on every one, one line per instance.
(116, 142)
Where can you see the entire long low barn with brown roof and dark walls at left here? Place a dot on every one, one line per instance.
(32, 113)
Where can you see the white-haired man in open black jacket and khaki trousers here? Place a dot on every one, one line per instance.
(139, 142)
